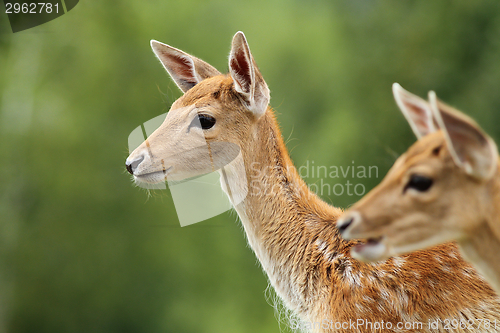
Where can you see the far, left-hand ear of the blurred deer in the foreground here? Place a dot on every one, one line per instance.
(416, 111)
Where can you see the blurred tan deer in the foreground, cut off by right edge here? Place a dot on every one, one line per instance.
(446, 187)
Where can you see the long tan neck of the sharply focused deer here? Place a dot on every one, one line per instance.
(278, 211)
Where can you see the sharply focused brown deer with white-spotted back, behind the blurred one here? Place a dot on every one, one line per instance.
(290, 229)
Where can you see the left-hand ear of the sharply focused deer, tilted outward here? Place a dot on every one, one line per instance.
(186, 70)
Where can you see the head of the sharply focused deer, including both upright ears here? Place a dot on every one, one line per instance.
(206, 127)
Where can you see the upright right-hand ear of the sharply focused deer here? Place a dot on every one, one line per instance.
(248, 80)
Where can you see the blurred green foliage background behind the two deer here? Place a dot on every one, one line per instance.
(84, 250)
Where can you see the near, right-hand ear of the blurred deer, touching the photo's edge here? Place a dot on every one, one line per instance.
(472, 149)
